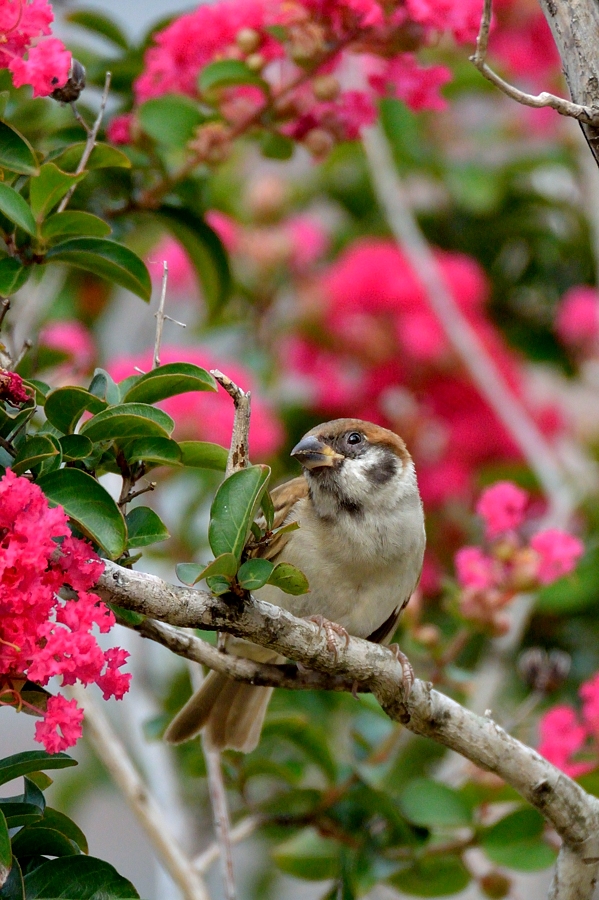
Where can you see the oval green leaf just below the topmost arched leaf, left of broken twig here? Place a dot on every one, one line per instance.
(128, 421)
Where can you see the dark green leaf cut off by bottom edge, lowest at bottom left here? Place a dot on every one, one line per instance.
(78, 878)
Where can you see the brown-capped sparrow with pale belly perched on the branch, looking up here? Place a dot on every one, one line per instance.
(360, 543)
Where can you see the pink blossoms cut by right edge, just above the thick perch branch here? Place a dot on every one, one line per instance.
(570, 739)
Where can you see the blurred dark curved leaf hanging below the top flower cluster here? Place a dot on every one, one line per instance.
(206, 252)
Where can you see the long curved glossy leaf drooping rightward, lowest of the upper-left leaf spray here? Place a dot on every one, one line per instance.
(109, 260)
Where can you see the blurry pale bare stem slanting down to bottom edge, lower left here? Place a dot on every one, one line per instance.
(114, 756)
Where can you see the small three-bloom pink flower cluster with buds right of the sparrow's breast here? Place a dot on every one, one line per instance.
(490, 577)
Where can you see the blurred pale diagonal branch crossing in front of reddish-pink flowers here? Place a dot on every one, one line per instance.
(485, 374)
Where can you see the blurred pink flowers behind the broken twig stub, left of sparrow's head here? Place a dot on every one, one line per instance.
(205, 415)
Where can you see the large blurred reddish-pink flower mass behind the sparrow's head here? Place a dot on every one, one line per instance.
(366, 343)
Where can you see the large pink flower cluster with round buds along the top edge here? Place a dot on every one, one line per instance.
(302, 53)
